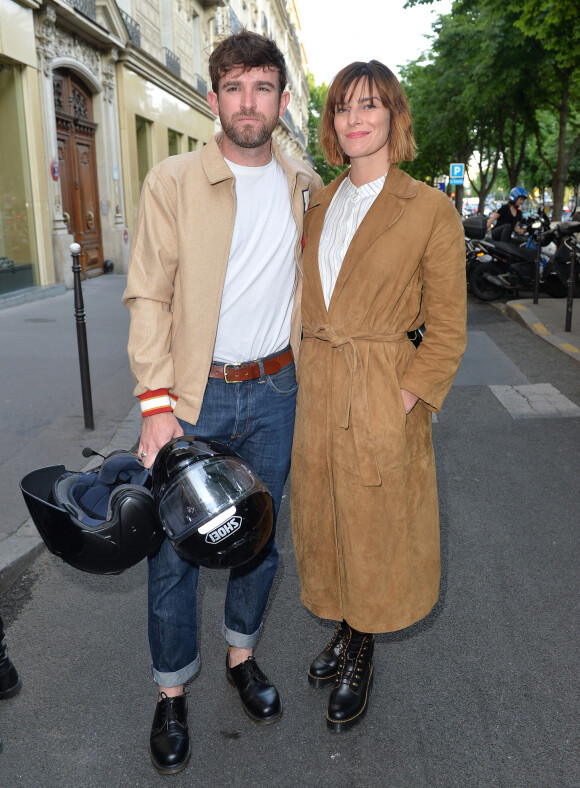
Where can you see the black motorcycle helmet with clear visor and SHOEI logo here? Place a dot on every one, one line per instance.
(212, 506)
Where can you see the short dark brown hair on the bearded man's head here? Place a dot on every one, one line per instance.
(246, 50)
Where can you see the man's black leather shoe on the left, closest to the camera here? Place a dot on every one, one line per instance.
(169, 741)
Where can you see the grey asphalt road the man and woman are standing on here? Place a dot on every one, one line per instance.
(484, 692)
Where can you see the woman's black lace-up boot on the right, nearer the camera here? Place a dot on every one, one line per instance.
(349, 699)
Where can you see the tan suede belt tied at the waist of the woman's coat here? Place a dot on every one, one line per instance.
(359, 403)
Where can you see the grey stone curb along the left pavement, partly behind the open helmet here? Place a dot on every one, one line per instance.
(21, 548)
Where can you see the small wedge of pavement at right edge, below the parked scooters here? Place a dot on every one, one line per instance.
(547, 319)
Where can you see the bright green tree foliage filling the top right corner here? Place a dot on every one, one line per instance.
(530, 54)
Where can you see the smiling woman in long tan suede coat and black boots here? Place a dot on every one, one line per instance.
(383, 255)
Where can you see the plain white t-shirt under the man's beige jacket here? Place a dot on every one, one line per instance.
(258, 293)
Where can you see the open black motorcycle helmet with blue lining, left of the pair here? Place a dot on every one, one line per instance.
(100, 521)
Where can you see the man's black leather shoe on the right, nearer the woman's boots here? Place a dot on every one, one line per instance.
(259, 696)
